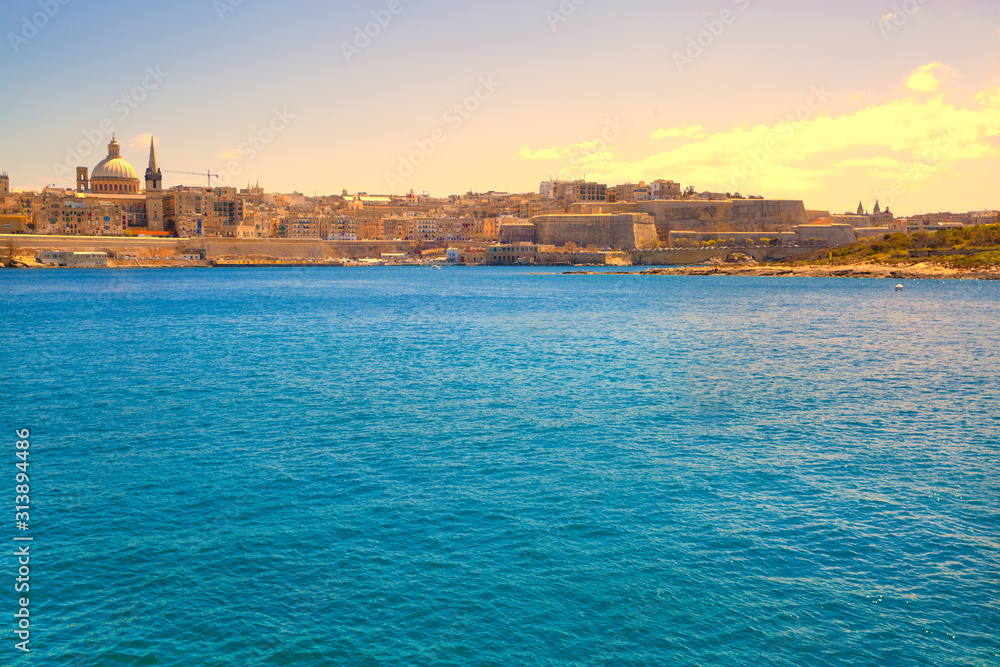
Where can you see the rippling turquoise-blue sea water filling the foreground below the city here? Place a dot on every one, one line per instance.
(488, 467)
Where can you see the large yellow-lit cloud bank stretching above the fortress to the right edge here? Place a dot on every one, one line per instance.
(878, 142)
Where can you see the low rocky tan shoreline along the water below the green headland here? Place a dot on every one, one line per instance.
(911, 272)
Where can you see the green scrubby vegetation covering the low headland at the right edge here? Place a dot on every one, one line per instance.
(967, 247)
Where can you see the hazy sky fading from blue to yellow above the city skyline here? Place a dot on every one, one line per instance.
(828, 102)
